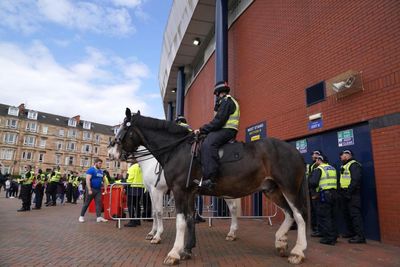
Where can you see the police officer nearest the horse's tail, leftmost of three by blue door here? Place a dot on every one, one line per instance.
(313, 197)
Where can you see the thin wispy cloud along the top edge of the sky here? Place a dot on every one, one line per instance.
(28, 16)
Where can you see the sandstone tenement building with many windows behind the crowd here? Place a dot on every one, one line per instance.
(46, 141)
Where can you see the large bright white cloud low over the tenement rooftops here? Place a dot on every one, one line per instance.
(31, 75)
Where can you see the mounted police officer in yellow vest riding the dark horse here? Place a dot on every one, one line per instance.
(219, 131)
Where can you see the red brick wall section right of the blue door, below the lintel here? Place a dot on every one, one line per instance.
(386, 151)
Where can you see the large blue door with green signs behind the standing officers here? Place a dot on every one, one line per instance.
(360, 144)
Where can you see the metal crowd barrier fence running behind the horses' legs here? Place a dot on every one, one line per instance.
(116, 202)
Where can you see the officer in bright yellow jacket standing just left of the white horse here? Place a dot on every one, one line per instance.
(134, 191)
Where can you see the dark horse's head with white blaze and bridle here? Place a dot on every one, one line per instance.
(127, 139)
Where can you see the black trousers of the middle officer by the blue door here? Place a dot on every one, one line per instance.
(327, 215)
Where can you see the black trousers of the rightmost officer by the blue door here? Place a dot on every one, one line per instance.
(350, 205)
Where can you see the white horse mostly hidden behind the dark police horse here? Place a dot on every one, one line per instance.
(155, 183)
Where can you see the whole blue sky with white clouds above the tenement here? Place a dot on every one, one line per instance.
(89, 58)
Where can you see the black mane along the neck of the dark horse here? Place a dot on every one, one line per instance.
(152, 123)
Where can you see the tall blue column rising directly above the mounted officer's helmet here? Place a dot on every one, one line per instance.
(221, 41)
